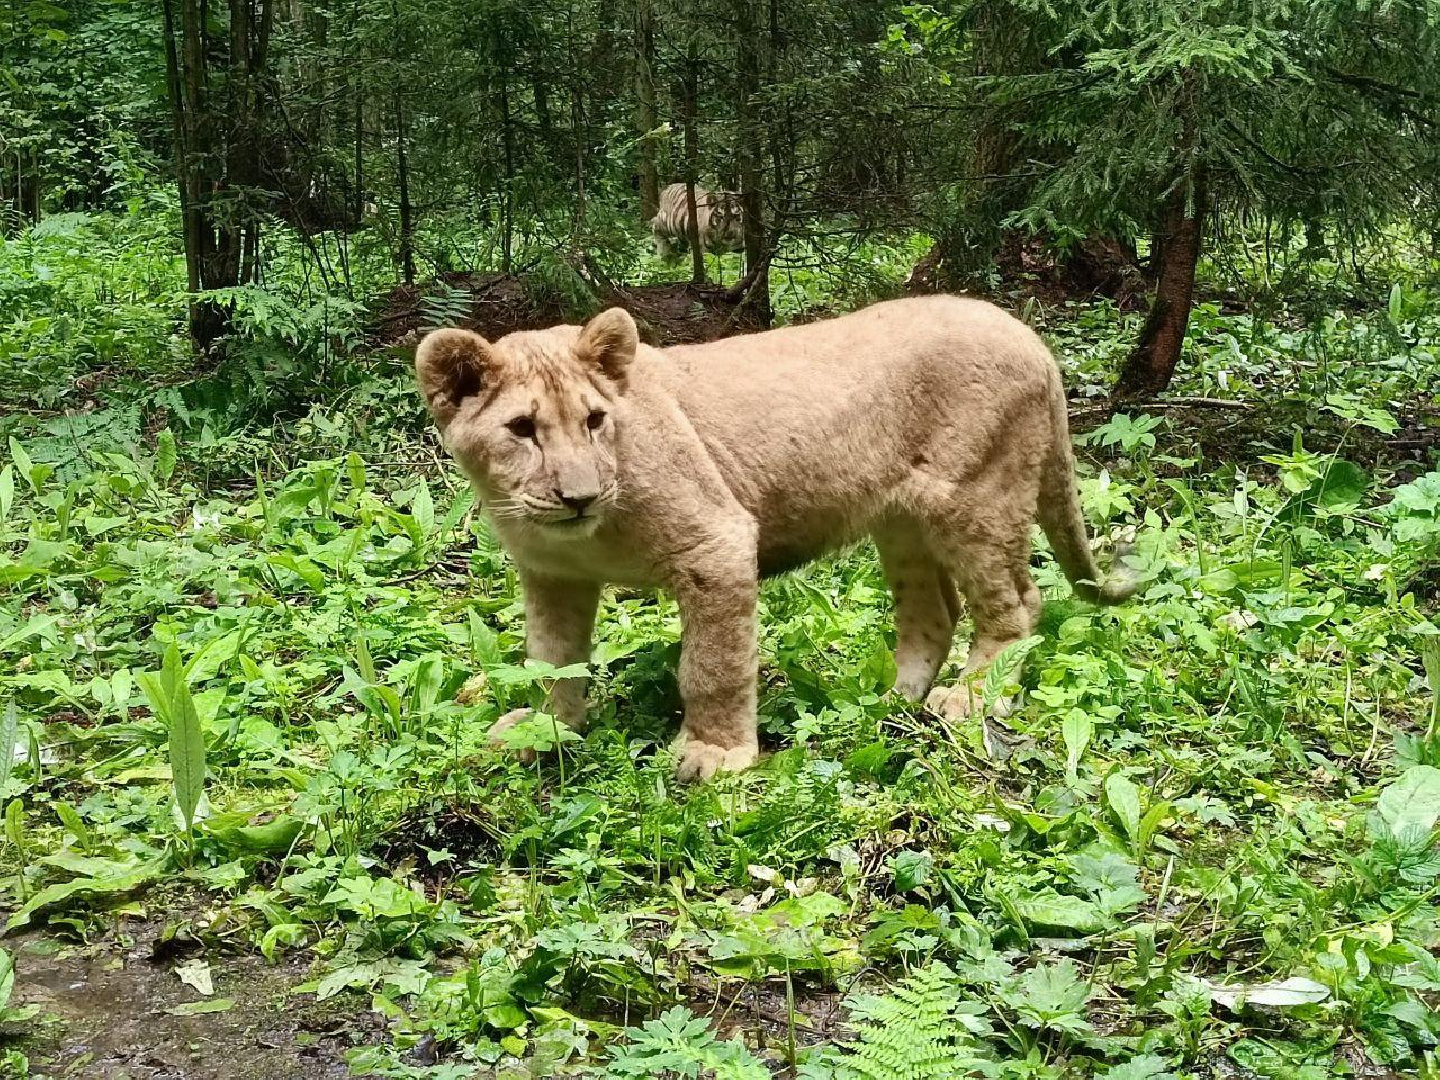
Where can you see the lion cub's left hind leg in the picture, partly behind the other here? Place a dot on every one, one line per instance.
(927, 608)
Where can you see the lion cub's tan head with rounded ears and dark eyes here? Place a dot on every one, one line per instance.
(532, 418)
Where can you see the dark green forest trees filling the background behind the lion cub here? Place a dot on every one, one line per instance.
(1114, 123)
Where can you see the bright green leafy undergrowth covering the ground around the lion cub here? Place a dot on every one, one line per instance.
(251, 643)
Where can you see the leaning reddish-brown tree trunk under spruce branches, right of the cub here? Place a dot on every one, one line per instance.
(1150, 368)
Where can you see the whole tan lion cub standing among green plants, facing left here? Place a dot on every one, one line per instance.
(937, 426)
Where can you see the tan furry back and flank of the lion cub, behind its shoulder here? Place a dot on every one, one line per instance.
(819, 428)
